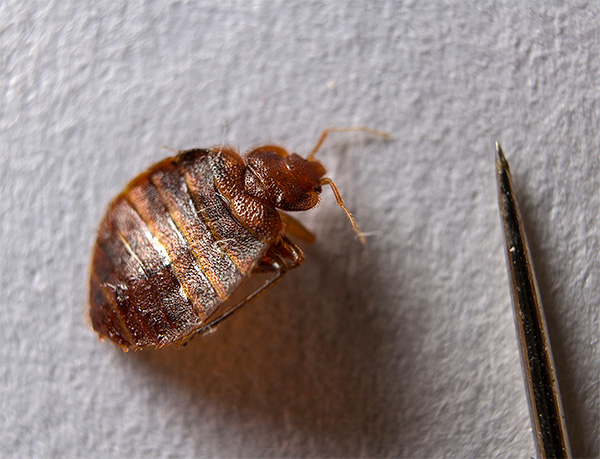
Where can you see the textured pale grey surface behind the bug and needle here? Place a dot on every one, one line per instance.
(404, 347)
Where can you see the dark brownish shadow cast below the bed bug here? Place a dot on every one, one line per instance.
(303, 360)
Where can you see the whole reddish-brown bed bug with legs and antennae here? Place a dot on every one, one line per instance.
(181, 238)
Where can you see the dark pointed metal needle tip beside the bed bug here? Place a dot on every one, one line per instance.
(545, 408)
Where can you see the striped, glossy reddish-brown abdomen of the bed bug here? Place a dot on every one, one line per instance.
(169, 252)
